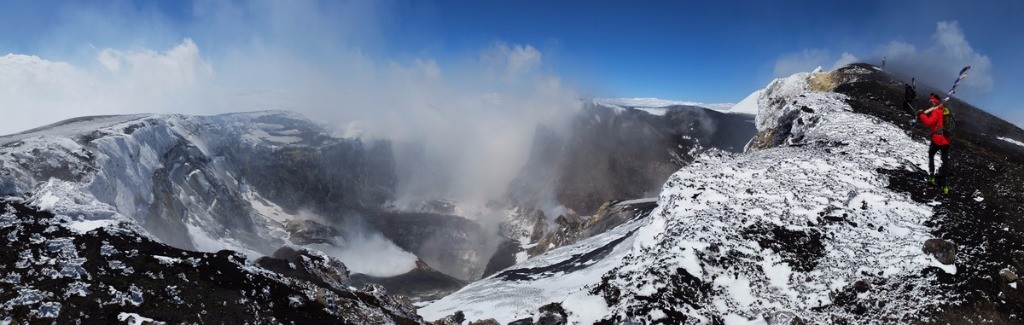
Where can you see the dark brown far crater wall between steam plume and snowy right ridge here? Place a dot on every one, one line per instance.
(616, 153)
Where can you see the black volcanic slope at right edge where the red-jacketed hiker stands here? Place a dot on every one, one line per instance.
(984, 214)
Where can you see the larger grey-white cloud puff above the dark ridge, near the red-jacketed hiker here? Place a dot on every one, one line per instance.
(938, 63)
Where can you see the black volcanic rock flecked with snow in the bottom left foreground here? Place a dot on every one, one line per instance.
(52, 273)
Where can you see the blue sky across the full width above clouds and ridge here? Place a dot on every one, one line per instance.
(712, 52)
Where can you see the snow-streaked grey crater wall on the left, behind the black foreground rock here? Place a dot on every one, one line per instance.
(230, 182)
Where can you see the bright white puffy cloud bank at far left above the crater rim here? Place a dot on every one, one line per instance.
(35, 91)
